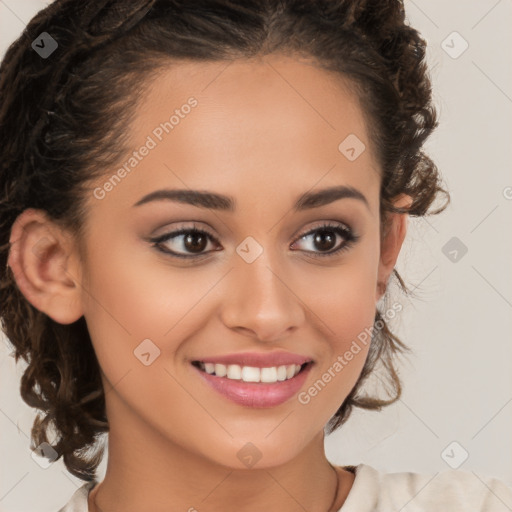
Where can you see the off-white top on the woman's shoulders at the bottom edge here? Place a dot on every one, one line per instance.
(372, 491)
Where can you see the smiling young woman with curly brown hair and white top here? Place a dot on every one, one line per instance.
(202, 206)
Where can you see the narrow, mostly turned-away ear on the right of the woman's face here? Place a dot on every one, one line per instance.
(391, 243)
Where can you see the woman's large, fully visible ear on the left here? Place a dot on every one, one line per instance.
(44, 262)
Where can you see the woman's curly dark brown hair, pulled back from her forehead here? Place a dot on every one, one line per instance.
(63, 123)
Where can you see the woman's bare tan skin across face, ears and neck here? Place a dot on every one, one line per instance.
(265, 131)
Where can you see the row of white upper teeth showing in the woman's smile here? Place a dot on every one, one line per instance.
(251, 373)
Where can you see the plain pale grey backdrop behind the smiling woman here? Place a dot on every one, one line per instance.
(457, 398)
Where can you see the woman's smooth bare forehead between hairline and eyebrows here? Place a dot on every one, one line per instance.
(227, 126)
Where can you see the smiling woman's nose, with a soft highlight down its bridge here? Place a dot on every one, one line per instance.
(260, 301)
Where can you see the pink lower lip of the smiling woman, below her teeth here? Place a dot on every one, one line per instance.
(256, 394)
